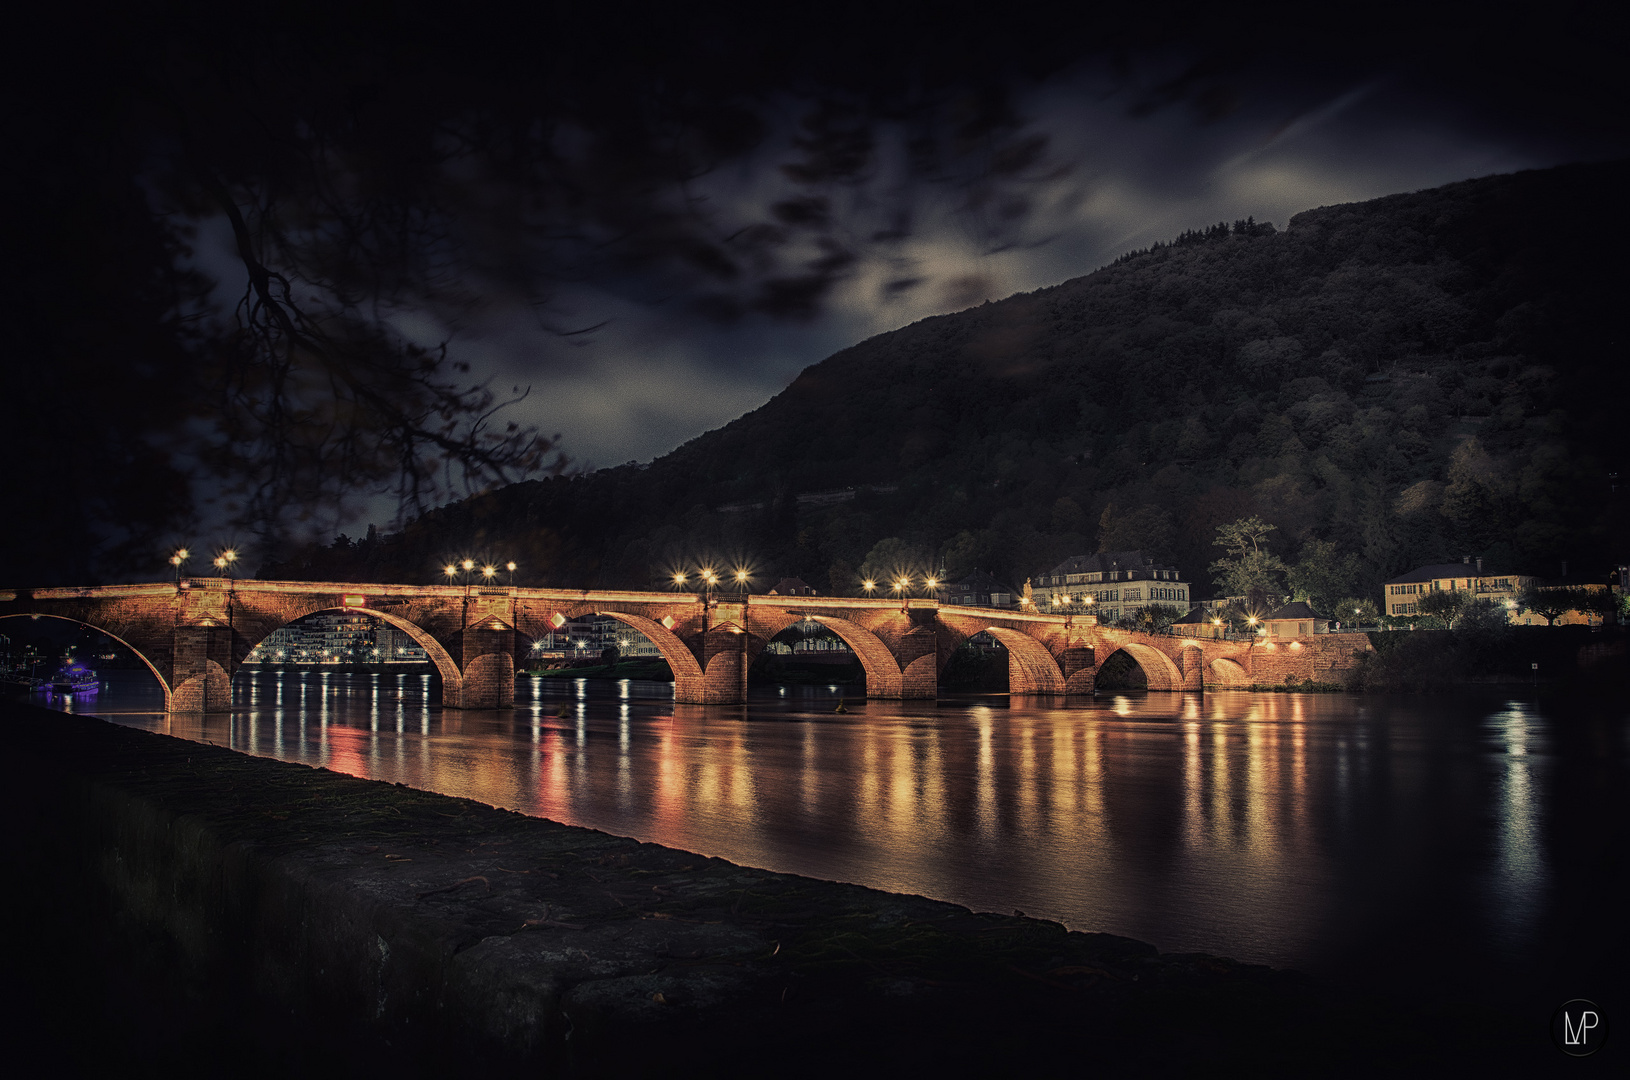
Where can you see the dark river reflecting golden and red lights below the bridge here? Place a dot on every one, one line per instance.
(1458, 848)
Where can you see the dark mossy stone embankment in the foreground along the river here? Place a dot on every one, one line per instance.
(206, 910)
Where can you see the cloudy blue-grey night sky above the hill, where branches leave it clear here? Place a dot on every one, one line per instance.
(1293, 133)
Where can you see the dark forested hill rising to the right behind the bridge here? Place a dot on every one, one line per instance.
(1398, 382)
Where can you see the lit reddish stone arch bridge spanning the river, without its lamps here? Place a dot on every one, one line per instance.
(198, 633)
